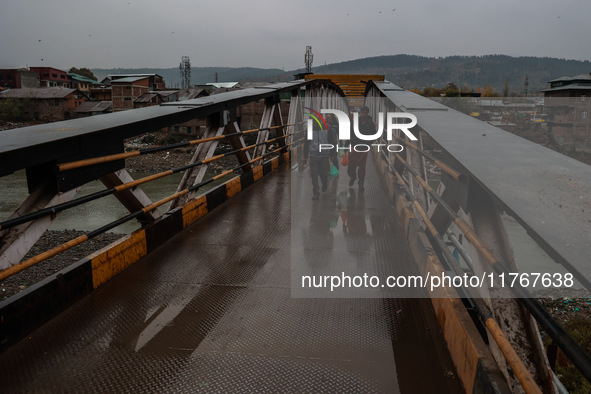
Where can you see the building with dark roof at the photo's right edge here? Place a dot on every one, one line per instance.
(568, 104)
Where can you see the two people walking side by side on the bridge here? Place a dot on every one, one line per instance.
(321, 159)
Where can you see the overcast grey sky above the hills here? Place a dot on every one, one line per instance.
(274, 33)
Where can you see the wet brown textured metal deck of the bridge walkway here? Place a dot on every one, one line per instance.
(212, 310)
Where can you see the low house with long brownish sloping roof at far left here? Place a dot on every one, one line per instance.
(48, 104)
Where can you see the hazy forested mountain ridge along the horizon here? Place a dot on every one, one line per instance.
(409, 71)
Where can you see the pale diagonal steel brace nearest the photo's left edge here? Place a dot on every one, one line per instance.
(15, 242)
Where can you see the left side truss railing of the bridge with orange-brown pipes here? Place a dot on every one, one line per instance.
(61, 157)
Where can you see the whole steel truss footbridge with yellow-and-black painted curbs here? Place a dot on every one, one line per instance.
(204, 296)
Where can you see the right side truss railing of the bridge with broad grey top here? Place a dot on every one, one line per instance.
(476, 180)
